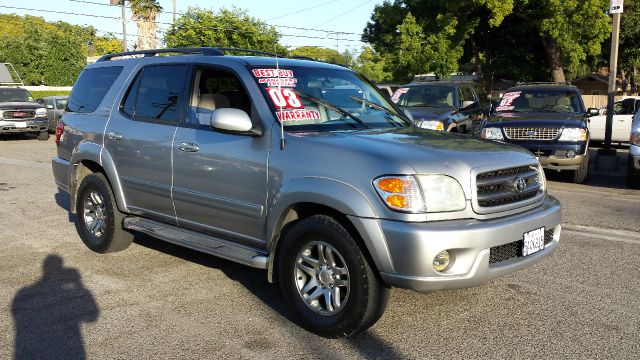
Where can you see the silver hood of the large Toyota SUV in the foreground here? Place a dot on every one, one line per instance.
(423, 151)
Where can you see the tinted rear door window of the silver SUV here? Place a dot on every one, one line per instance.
(155, 93)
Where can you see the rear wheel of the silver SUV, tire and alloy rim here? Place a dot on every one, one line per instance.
(99, 221)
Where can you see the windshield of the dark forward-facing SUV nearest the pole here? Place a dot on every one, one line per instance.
(541, 100)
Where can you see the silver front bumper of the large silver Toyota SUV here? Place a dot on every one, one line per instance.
(412, 247)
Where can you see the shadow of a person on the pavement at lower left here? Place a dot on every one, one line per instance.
(49, 313)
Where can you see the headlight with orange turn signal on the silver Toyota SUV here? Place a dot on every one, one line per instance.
(430, 193)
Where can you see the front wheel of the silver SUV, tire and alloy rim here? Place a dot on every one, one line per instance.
(327, 281)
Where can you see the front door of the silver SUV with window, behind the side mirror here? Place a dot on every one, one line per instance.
(220, 179)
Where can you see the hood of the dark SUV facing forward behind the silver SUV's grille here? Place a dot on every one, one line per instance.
(539, 119)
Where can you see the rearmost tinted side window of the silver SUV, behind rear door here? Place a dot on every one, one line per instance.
(91, 87)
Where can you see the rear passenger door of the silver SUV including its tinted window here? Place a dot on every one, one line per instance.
(139, 137)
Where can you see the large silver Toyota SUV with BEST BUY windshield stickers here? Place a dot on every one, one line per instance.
(298, 167)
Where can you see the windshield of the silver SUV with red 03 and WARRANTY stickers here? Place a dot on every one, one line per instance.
(319, 99)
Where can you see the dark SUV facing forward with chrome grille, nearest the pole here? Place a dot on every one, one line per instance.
(548, 119)
